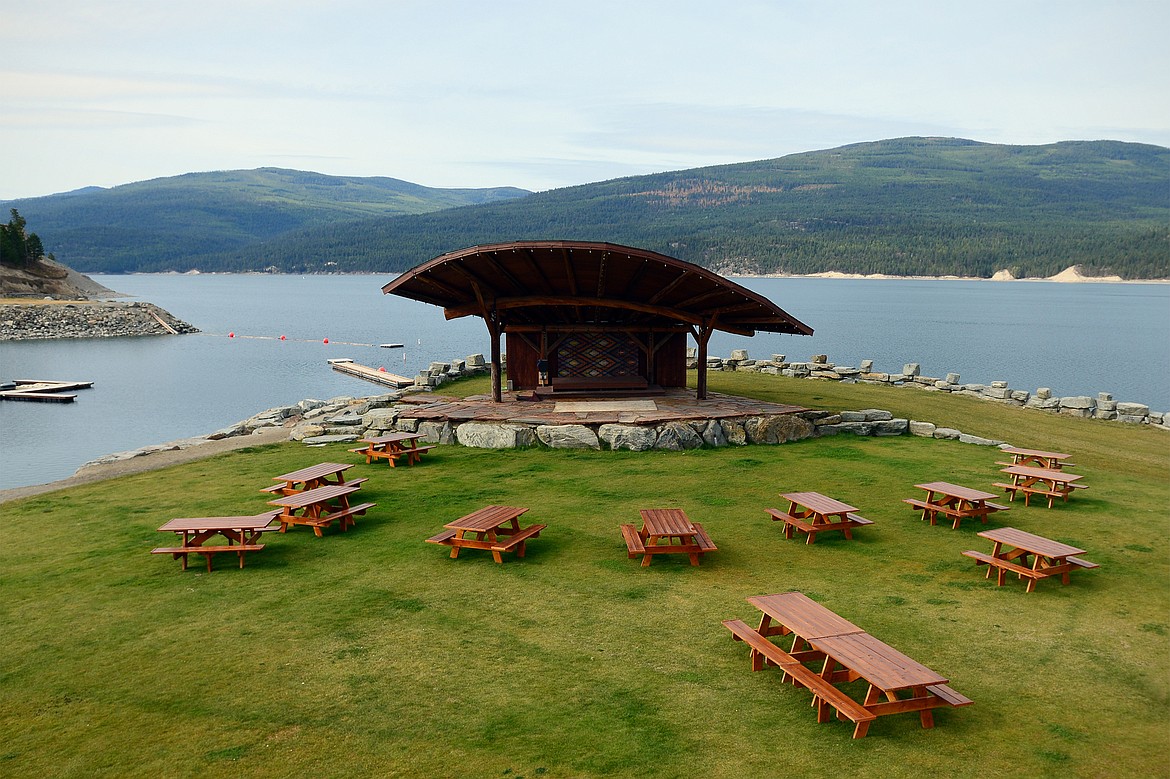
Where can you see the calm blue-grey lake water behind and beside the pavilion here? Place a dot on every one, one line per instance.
(1075, 339)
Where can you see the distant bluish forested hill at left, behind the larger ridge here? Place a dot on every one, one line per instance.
(175, 223)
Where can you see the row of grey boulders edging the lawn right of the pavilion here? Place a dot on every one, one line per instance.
(1103, 406)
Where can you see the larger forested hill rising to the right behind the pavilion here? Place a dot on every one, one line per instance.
(910, 206)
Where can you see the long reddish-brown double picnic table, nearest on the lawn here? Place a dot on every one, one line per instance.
(846, 653)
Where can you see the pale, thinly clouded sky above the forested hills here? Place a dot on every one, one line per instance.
(547, 94)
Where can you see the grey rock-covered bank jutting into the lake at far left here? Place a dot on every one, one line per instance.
(44, 320)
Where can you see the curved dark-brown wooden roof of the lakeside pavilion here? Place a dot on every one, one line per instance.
(588, 284)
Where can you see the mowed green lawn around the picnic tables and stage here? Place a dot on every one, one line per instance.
(371, 653)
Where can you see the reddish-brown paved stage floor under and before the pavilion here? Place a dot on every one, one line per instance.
(527, 409)
